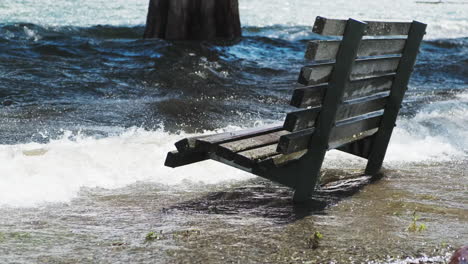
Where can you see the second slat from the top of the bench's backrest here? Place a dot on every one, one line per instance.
(327, 49)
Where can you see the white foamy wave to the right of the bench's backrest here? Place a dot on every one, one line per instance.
(438, 132)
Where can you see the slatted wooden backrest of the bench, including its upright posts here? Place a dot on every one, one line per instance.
(355, 85)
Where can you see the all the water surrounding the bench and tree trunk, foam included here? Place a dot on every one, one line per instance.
(88, 111)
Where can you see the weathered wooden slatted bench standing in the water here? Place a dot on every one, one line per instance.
(350, 98)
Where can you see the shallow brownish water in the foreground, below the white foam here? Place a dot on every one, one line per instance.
(247, 222)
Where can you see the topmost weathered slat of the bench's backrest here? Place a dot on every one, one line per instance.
(336, 27)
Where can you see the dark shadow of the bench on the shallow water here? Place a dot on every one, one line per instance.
(261, 198)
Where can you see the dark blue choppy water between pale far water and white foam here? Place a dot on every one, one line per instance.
(90, 78)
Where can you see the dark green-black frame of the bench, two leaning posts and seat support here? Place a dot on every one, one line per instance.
(303, 173)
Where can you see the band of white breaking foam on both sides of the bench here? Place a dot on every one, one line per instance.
(54, 172)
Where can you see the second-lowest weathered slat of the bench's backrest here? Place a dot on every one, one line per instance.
(303, 119)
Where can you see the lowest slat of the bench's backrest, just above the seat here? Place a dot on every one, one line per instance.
(298, 141)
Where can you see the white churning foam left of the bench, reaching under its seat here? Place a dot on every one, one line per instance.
(54, 172)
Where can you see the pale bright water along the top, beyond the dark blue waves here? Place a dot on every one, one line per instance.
(447, 20)
